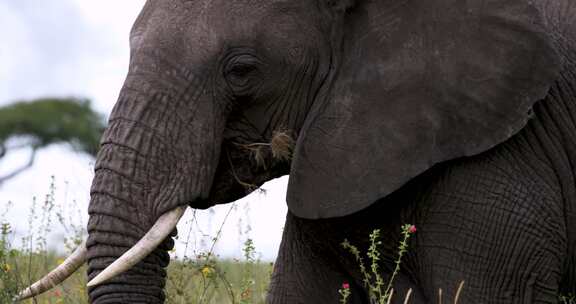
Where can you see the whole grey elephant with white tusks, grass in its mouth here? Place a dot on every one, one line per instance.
(456, 116)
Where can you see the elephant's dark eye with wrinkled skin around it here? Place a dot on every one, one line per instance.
(242, 73)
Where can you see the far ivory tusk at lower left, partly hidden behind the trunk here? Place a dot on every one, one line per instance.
(56, 276)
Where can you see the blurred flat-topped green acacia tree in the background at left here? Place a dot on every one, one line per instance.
(39, 123)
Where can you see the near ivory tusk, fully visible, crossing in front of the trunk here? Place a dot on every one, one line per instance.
(156, 235)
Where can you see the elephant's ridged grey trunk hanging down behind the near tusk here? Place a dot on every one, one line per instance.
(158, 154)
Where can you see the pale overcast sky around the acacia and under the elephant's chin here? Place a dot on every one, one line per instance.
(80, 48)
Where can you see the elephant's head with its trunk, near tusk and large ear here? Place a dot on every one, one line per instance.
(351, 98)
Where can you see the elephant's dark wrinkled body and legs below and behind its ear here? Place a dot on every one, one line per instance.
(503, 222)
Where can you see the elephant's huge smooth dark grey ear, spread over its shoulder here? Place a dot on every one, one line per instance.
(419, 82)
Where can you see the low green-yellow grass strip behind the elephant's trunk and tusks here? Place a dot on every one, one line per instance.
(223, 281)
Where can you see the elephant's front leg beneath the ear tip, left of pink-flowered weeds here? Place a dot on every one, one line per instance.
(306, 270)
